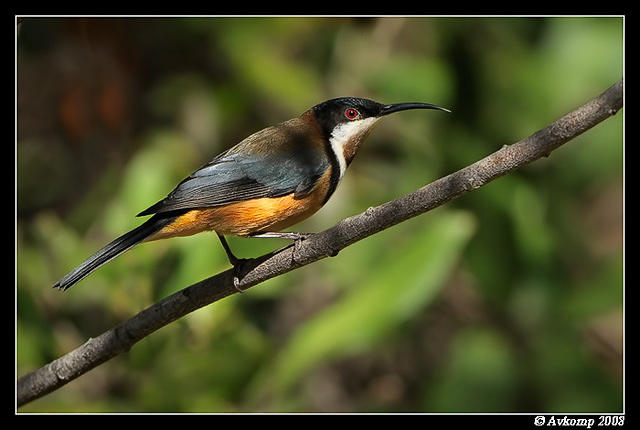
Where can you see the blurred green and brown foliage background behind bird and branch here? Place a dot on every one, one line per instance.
(509, 299)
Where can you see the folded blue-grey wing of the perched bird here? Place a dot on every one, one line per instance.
(238, 176)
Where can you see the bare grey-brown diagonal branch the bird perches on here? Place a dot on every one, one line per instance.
(321, 245)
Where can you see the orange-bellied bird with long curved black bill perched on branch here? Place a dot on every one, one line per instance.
(268, 182)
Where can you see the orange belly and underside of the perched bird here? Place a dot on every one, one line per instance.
(249, 216)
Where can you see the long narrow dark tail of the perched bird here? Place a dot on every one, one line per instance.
(113, 249)
